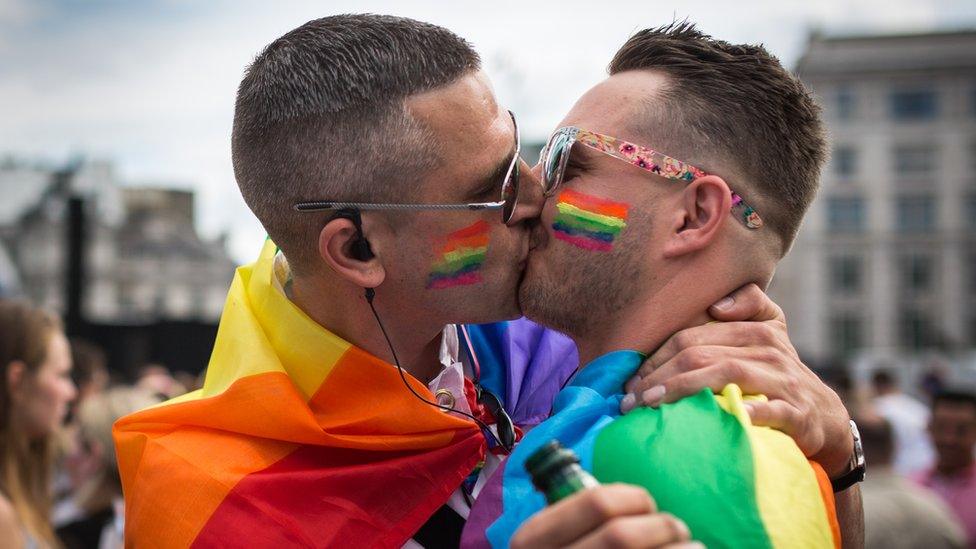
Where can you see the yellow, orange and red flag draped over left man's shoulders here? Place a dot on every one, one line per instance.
(297, 438)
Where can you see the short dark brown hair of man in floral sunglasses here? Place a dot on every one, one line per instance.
(737, 105)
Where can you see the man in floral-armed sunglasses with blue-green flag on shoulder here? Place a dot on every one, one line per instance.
(634, 245)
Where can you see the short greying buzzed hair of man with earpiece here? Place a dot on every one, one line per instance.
(320, 115)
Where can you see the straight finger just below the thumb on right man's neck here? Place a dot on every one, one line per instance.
(771, 336)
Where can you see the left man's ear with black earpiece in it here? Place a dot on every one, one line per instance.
(342, 248)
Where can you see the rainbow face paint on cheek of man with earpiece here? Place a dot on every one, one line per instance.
(462, 253)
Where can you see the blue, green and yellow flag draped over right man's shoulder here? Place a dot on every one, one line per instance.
(734, 484)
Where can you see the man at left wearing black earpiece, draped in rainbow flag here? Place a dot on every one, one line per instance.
(338, 408)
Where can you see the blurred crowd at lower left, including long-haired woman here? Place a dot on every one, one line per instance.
(59, 482)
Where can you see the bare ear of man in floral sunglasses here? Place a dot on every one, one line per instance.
(703, 208)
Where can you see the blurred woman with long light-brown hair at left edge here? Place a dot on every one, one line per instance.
(35, 389)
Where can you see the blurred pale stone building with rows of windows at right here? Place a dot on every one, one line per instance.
(886, 259)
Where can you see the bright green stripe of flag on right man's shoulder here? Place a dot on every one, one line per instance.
(695, 460)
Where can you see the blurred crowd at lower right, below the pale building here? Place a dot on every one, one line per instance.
(920, 488)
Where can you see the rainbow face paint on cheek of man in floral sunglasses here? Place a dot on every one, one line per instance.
(588, 222)
